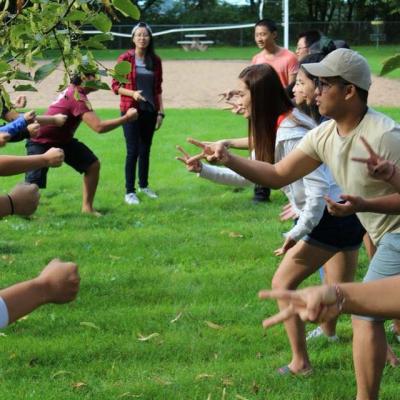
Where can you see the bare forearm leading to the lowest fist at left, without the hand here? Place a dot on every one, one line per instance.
(22, 298)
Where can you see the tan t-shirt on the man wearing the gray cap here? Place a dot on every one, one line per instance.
(383, 134)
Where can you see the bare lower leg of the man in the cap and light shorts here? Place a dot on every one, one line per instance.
(369, 355)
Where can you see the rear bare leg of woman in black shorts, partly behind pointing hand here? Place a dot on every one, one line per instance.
(340, 268)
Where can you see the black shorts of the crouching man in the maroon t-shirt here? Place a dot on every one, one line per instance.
(77, 155)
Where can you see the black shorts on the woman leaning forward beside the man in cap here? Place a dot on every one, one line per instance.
(337, 233)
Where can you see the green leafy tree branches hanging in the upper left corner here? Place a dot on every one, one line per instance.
(31, 28)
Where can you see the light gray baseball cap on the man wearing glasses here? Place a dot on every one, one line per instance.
(346, 63)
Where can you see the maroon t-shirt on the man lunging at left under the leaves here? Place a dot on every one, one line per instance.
(73, 102)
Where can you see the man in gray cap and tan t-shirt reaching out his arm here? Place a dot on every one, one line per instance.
(343, 79)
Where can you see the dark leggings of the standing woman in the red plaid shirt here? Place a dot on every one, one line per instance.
(138, 137)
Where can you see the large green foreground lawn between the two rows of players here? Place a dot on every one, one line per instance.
(184, 268)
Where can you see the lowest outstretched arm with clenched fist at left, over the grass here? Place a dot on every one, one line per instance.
(57, 283)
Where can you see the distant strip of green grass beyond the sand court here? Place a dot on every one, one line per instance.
(374, 56)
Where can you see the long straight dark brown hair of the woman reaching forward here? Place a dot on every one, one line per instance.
(269, 100)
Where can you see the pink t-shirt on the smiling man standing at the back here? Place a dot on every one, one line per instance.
(284, 62)
